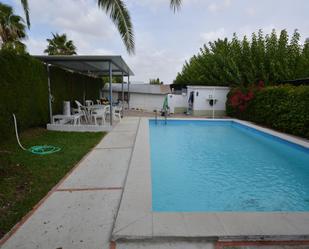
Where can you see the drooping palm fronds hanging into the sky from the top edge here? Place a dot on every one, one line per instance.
(119, 14)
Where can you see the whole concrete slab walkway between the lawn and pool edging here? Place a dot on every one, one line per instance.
(80, 211)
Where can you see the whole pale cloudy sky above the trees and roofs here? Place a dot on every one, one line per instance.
(164, 40)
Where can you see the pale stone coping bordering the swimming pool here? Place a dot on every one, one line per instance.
(136, 220)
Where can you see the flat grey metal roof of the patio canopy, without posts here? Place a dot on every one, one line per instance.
(97, 65)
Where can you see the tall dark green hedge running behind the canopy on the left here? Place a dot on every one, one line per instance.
(23, 84)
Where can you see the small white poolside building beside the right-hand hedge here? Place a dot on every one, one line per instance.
(200, 101)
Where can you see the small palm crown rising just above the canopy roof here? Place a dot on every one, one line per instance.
(60, 45)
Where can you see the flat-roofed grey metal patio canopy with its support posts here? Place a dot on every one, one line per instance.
(91, 65)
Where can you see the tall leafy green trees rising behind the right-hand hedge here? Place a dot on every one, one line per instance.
(270, 58)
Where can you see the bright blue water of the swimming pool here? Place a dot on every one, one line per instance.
(225, 166)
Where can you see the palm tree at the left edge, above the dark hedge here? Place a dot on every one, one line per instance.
(12, 29)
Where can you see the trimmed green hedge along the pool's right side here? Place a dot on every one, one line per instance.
(284, 108)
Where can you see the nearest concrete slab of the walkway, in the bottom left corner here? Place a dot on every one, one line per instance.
(69, 220)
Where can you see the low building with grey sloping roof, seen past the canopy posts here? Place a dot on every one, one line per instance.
(145, 97)
